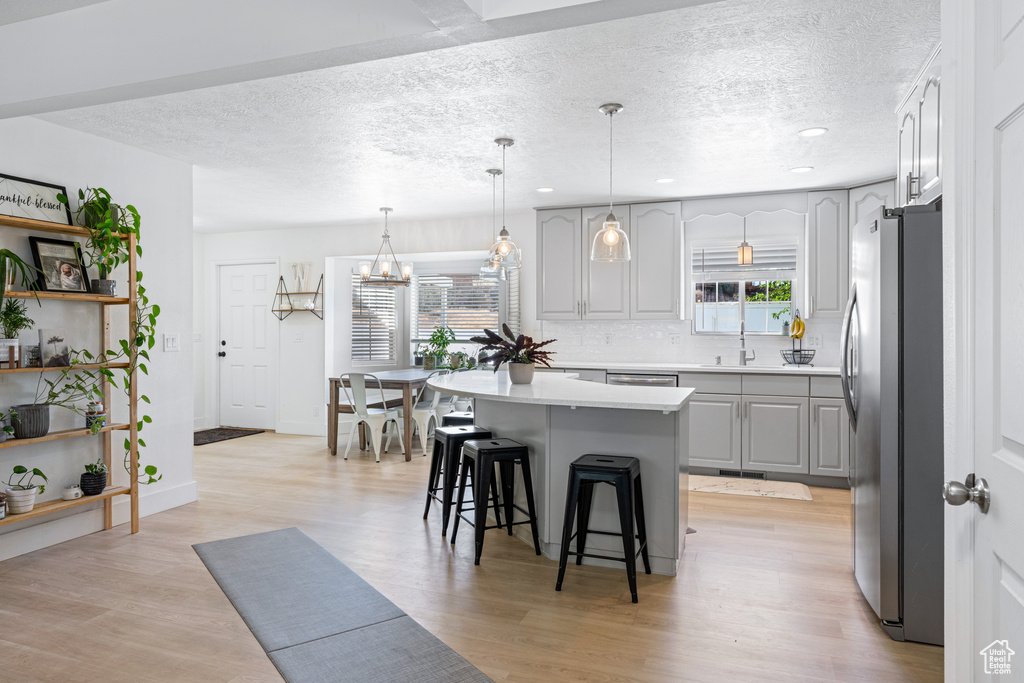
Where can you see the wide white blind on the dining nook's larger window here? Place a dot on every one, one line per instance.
(462, 302)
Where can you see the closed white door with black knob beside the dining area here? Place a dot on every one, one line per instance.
(248, 347)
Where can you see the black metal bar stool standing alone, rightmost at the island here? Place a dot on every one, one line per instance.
(624, 474)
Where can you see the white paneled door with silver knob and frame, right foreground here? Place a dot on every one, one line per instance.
(987, 623)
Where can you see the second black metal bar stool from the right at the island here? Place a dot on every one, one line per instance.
(480, 458)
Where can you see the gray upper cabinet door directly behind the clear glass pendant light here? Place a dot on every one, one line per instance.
(606, 286)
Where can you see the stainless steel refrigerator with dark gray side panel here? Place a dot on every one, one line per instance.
(891, 366)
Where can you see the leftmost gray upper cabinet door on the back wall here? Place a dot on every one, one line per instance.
(560, 235)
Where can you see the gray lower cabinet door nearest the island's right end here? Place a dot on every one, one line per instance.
(715, 432)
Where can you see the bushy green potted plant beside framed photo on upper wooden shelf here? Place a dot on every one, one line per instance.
(110, 226)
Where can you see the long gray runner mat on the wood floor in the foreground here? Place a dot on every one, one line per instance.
(319, 621)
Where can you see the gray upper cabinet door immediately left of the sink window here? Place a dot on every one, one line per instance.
(656, 271)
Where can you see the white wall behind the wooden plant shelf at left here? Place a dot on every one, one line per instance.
(162, 191)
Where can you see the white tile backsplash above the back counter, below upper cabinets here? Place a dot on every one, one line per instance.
(673, 341)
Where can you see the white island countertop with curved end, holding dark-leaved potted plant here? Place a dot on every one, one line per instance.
(561, 390)
